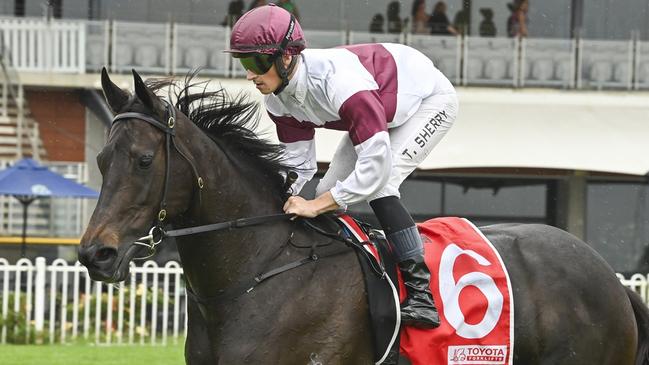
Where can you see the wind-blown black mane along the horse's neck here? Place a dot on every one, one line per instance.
(228, 120)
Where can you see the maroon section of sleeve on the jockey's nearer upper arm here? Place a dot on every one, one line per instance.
(364, 115)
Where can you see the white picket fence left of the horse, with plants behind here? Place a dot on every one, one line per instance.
(59, 303)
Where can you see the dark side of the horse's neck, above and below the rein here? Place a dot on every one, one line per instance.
(219, 260)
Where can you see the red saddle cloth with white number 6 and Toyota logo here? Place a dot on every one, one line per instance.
(473, 295)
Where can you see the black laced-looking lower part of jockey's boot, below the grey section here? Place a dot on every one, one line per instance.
(418, 310)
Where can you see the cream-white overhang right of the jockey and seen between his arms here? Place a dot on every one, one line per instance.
(545, 129)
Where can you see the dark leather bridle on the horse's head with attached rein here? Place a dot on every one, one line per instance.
(157, 232)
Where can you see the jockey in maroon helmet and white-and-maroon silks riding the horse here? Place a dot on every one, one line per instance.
(395, 106)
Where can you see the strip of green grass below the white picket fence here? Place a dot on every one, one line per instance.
(86, 354)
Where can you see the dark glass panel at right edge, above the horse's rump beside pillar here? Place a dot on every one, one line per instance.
(617, 224)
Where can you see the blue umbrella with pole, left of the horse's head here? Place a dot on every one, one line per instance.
(27, 181)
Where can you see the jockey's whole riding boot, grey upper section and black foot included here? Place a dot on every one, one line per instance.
(418, 310)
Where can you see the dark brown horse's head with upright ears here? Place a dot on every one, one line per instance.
(134, 166)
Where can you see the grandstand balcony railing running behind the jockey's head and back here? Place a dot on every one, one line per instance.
(173, 48)
